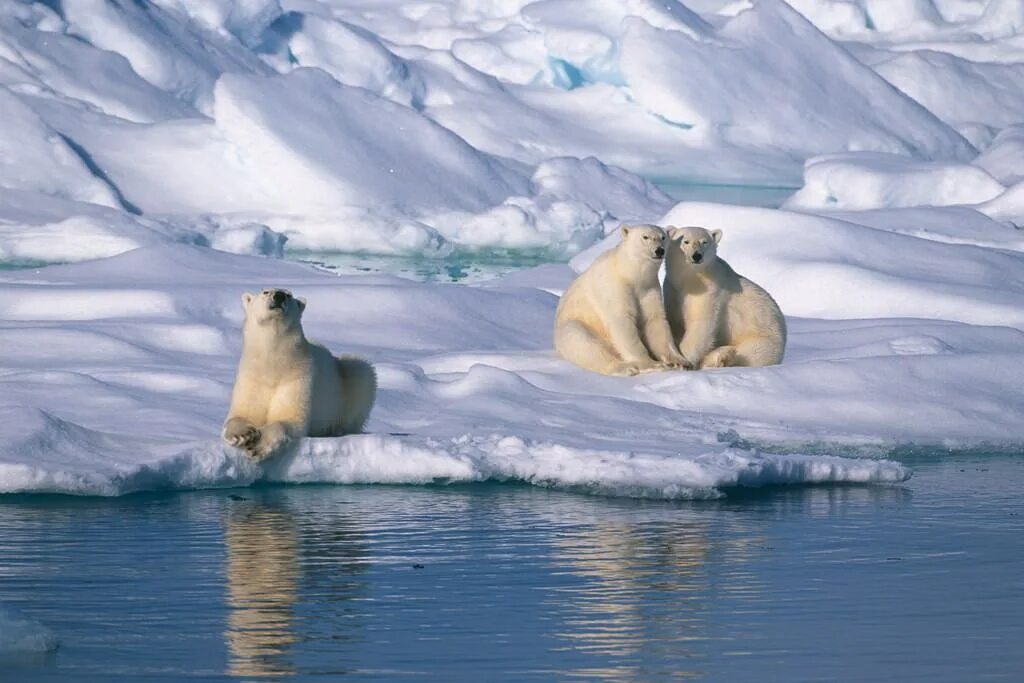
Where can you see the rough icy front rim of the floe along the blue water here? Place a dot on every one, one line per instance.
(390, 460)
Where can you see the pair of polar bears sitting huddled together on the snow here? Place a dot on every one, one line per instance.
(613, 319)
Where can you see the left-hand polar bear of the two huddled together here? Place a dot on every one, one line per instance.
(612, 319)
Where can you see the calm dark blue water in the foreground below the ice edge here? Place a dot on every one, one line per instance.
(921, 582)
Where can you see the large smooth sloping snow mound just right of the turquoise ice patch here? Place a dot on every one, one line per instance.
(772, 55)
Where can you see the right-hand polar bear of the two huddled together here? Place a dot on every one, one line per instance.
(718, 318)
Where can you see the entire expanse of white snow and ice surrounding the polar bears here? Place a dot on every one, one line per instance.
(157, 159)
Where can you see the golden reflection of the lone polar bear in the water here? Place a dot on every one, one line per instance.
(263, 586)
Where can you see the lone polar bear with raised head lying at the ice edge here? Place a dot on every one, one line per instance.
(287, 387)
